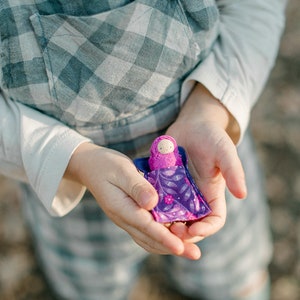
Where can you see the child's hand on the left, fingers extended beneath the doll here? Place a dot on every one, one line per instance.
(125, 196)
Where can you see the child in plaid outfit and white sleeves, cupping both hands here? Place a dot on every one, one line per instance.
(87, 84)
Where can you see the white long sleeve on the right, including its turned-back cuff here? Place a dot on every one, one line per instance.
(237, 68)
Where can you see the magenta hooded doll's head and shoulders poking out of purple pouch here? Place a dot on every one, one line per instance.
(164, 153)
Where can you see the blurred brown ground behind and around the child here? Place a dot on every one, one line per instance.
(276, 127)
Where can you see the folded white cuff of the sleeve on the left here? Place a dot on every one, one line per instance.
(46, 147)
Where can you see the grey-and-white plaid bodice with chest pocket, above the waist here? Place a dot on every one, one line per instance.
(112, 70)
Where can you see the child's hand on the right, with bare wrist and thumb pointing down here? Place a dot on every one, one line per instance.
(206, 130)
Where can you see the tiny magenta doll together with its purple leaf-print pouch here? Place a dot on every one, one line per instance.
(166, 169)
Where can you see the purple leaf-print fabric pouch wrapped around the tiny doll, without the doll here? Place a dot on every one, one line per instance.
(179, 197)
